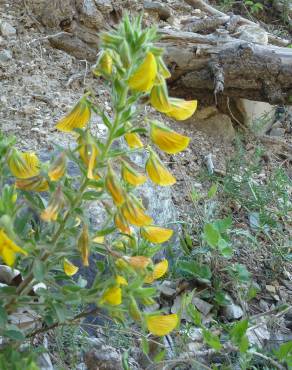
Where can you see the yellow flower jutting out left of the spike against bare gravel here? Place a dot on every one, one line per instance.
(77, 118)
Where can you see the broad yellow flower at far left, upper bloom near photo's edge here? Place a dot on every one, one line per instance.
(23, 165)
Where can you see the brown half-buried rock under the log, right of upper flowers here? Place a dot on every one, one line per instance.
(218, 126)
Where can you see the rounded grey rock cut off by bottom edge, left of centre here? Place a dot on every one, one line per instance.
(103, 358)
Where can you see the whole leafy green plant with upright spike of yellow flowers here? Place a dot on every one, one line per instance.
(45, 233)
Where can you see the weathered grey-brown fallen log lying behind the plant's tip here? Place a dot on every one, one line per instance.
(222, 62)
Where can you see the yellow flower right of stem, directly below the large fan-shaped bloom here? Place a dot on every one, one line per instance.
(158, 172)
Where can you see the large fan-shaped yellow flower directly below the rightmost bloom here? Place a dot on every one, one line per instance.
(167, 140)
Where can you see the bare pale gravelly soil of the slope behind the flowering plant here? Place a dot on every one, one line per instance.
(39, 84)
